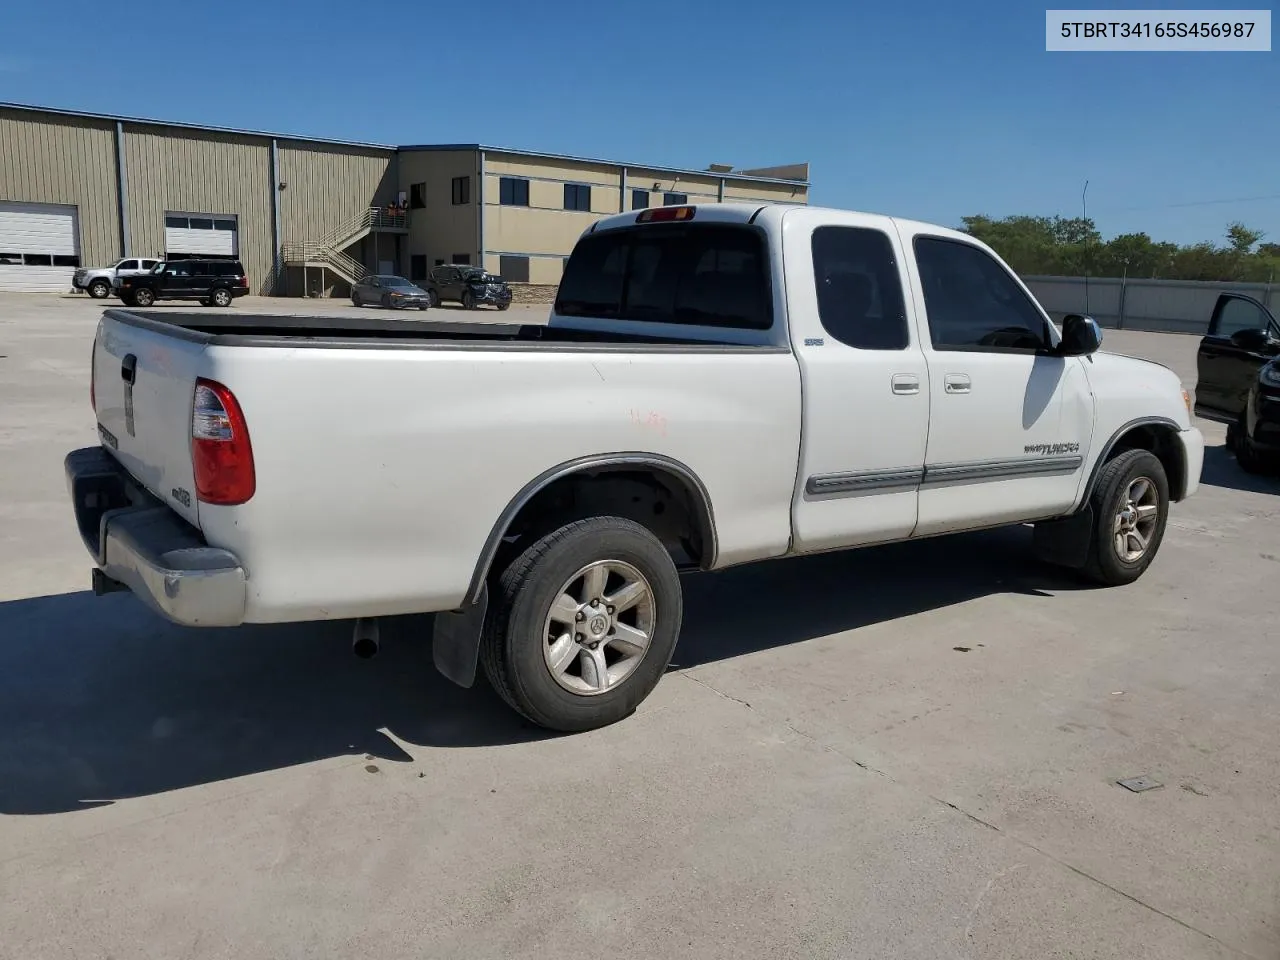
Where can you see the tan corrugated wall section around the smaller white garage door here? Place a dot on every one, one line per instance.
(202, 173)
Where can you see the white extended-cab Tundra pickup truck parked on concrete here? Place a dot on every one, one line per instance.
(716, 386)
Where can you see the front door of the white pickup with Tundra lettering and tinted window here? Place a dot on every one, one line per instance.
(1009, 422)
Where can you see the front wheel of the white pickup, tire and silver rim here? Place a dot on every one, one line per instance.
(1118, 505)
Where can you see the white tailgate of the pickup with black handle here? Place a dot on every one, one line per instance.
(143, 383)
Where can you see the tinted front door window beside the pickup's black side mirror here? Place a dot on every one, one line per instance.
(973, 304)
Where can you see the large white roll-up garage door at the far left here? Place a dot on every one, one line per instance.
(39, 248)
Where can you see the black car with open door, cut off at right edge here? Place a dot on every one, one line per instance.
(1238, 380)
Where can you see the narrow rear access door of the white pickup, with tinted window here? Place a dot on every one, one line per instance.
(865, 381)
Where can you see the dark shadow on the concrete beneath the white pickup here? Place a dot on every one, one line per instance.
(100, 701)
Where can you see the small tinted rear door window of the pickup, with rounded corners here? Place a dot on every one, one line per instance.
(860, 291)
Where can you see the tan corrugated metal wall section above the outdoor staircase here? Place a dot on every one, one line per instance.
(330, 185)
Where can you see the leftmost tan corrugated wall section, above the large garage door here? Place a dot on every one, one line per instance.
(45, 159)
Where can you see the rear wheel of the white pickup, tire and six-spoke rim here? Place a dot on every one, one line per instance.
(516, 646)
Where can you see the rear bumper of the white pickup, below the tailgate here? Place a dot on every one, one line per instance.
(139, 542)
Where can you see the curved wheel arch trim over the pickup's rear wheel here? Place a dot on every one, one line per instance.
(666, 470)
